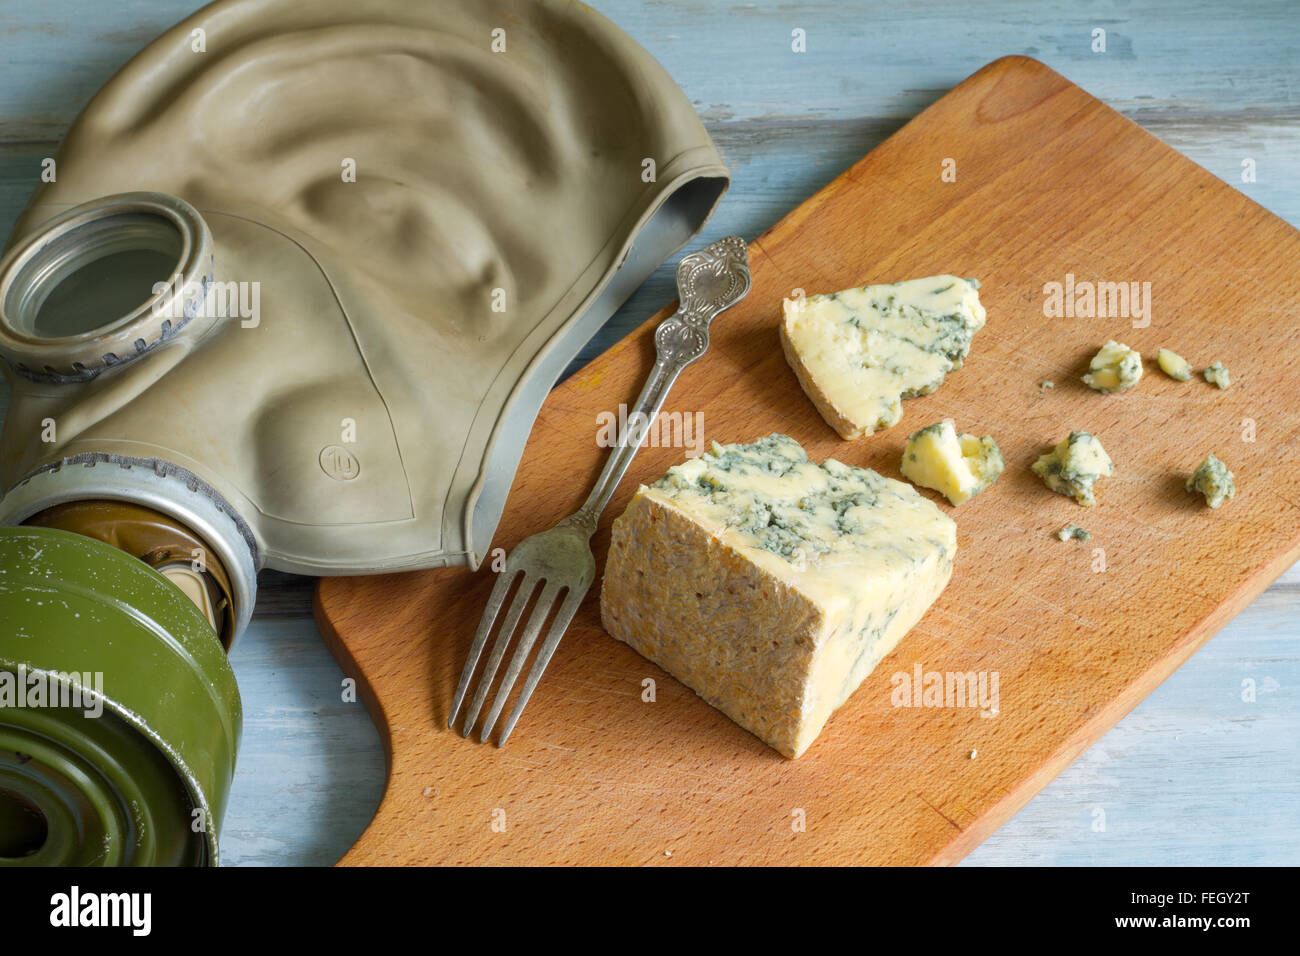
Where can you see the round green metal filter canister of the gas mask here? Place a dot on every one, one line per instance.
(119, 712)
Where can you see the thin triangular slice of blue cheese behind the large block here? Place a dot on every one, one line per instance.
(861, 352)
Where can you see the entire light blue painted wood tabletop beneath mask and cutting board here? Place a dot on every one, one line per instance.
(1197, 775)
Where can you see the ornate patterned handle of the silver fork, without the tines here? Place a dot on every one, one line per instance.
(709, 282)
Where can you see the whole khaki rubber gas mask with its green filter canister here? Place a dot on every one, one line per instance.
(292, 296)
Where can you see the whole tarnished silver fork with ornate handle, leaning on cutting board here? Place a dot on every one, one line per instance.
(561, 560)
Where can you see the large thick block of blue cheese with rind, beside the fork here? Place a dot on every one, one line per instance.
(773, 586)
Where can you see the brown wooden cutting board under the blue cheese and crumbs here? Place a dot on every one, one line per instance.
(1050, 183)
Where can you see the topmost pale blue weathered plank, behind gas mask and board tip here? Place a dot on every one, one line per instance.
(1193, 59)
